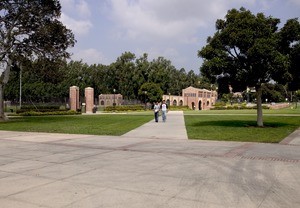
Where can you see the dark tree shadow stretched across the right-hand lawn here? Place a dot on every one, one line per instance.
(239, 123)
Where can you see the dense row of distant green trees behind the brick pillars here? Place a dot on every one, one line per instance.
(127, 75)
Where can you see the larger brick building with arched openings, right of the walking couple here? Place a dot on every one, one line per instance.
(194, 98)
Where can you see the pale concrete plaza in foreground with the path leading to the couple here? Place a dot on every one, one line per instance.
(136, 170)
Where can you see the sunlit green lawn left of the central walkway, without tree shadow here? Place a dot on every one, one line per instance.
(108, 124)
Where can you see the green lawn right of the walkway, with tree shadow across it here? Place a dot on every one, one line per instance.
(237, 127)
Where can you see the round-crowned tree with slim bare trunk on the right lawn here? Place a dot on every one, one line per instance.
(245, 49)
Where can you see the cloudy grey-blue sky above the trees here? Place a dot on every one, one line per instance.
(174, 29)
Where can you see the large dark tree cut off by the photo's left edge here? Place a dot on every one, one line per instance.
(30, 29)
